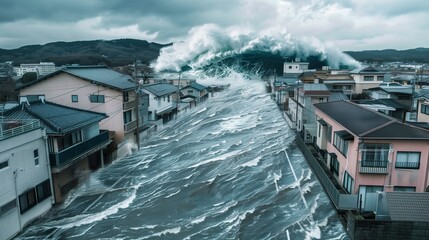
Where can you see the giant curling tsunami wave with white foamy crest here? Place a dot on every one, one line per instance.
(210, 46)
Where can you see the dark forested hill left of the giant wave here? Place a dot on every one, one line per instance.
(112, 53)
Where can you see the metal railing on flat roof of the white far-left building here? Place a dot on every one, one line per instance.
(11, 128)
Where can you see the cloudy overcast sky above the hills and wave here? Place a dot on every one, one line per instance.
(348, 24)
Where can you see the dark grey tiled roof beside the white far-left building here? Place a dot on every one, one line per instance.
(57, 119)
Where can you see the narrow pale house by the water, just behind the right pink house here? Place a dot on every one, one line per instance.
(302, 111)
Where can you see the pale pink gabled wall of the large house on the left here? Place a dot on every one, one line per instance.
(60, 88)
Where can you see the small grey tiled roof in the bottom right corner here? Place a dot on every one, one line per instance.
(408, 206)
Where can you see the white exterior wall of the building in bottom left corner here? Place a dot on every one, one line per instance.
(18, 151)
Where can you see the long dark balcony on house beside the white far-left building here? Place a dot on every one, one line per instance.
(79, 150)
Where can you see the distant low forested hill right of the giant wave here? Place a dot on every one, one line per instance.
(419, 55)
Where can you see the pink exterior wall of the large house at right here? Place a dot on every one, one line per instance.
(396, 177)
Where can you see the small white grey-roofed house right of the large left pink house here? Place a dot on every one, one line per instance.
(161, 105)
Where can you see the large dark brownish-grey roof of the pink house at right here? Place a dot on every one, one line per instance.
(366, 123)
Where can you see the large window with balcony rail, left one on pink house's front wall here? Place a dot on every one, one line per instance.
(375, 155)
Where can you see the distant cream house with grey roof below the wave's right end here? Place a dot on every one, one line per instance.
(366, 77)
